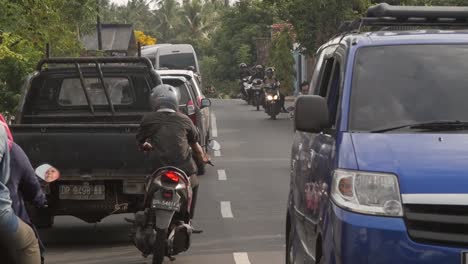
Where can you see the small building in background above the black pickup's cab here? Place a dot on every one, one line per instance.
(117, 40)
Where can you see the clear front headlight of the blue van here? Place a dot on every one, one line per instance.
(367, 192)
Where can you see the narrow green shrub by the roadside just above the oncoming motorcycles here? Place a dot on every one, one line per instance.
(282, 59)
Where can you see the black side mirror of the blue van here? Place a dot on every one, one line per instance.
(311, 114)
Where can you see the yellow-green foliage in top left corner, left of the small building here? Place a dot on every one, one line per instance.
(36, 23)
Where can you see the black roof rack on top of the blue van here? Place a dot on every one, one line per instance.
(385, 15)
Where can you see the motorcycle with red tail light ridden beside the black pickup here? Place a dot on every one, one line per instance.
(163, 226)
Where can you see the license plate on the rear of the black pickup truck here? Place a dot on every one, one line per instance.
(85, 191)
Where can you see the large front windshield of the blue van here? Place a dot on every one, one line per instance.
(400, 85)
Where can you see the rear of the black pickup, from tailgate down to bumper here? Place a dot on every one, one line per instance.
(94, 154)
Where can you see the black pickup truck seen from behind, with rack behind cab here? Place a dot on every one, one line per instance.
(82, 115)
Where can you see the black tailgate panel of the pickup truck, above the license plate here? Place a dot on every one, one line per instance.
(104, 150)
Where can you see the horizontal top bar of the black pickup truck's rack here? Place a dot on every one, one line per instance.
(94, 60)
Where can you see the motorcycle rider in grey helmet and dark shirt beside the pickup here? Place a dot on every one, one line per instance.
(171, 137)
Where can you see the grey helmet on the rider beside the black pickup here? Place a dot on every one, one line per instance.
(164, 96)
